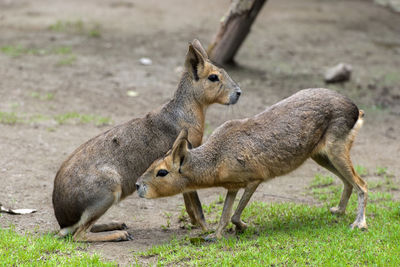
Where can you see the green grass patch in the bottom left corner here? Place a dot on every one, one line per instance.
(31, 250)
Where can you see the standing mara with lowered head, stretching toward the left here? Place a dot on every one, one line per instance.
(313, 123)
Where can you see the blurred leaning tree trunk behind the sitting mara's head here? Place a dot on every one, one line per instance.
(235, 26)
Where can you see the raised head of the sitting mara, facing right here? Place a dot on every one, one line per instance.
(211, 84)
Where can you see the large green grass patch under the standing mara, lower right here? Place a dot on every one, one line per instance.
(290, 234)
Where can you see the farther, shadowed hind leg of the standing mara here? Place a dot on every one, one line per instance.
(324, 161)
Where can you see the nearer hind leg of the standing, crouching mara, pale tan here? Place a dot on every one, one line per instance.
(340, 158)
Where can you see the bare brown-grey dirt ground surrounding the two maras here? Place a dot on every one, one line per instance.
(83, 56)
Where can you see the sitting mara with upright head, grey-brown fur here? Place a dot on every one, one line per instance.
(104, 170)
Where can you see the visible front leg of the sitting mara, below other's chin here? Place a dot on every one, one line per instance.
(194, 209)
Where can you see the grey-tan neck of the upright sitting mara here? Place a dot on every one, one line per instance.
(187, 109)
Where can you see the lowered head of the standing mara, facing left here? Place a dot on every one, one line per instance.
(167, 176)
